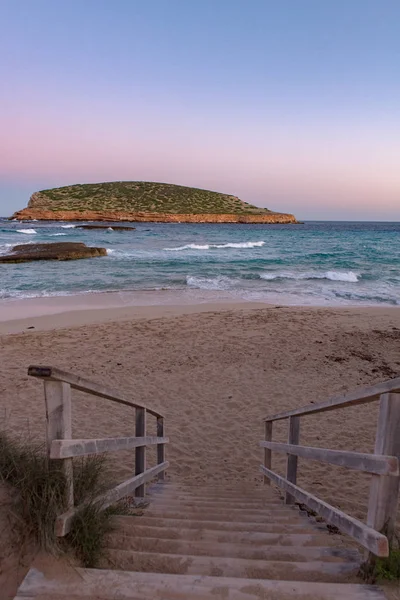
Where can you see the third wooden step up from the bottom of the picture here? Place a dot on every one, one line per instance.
(195, 523)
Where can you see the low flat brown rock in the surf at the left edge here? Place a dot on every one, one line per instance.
(57, 251)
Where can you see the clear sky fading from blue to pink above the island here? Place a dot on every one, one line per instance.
(289, 104)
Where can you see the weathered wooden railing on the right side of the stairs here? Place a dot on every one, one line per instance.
(383, 465)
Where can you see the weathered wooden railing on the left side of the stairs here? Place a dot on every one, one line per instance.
(60, 445)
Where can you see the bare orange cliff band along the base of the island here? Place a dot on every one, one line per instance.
(28, 214)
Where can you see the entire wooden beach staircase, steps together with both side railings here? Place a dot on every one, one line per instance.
(223, 542)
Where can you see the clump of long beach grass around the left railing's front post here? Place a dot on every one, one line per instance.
(38, 487)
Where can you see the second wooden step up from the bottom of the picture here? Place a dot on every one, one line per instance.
(234, 550)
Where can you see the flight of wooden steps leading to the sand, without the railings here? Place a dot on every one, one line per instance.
(217, 543)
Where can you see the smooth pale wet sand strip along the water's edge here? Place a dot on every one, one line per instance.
(70, 311)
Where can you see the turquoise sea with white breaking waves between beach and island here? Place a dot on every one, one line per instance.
(316, 263)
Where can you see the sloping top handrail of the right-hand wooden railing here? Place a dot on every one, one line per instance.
(362, 396)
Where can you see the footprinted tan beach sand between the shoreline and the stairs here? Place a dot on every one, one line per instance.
(214, 371)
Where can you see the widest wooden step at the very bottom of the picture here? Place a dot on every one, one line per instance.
(107, 585)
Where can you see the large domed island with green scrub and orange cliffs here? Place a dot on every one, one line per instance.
(141, 201)
